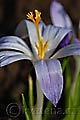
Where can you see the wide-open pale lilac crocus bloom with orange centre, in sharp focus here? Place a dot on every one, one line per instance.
(44, 40)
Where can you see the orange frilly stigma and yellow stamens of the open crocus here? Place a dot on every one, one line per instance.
(40, 45)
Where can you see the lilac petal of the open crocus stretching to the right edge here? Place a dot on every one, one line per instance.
(72, 49)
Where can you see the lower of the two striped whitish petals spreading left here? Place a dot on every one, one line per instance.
(7, 57)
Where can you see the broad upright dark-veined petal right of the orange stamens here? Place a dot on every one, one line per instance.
(54, 35)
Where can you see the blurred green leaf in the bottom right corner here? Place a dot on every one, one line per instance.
(73, 108)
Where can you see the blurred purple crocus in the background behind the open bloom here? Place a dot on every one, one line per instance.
(60, 18)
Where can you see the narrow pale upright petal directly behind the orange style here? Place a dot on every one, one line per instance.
(33, 35)
